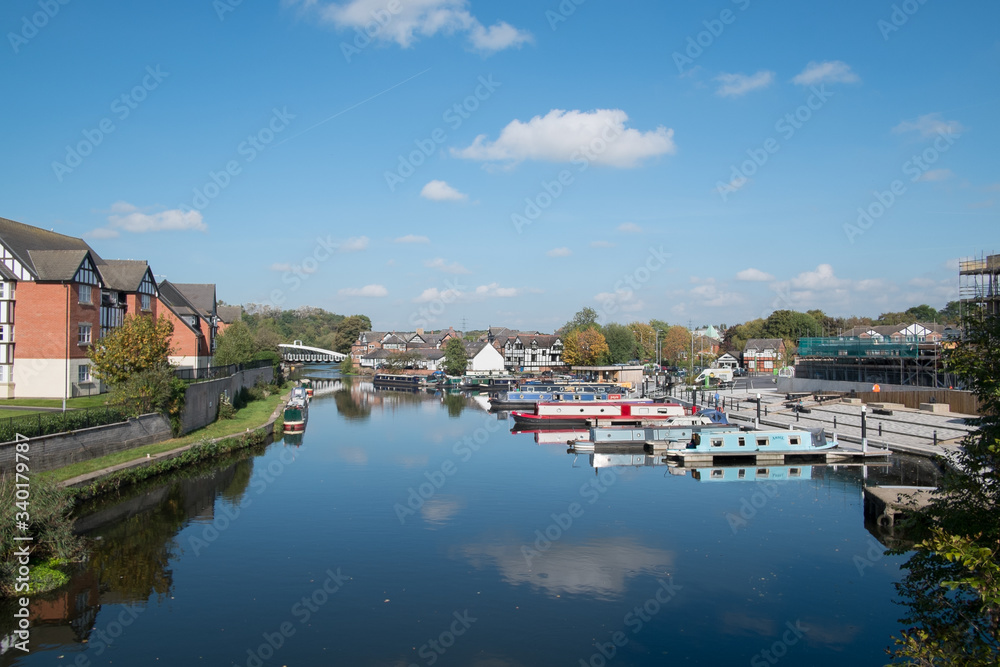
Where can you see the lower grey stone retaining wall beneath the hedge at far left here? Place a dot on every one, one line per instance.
(61, 449)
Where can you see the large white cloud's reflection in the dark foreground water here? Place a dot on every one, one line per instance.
(598, 568)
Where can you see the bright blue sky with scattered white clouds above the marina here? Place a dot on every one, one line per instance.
(510, 163)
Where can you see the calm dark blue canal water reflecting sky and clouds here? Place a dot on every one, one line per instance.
(408, 529)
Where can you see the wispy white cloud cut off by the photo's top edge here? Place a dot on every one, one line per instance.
(414, 19)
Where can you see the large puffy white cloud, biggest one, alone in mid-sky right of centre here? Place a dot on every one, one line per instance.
(599, 136)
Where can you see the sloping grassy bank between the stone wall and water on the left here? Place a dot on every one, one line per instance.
(252, 425)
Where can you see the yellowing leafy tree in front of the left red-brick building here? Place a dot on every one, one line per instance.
(140, 343)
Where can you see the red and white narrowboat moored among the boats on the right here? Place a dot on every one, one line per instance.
(561, 414)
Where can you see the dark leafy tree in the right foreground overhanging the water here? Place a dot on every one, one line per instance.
(952, 587)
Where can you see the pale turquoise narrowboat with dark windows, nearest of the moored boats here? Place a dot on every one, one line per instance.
(751, 442)
